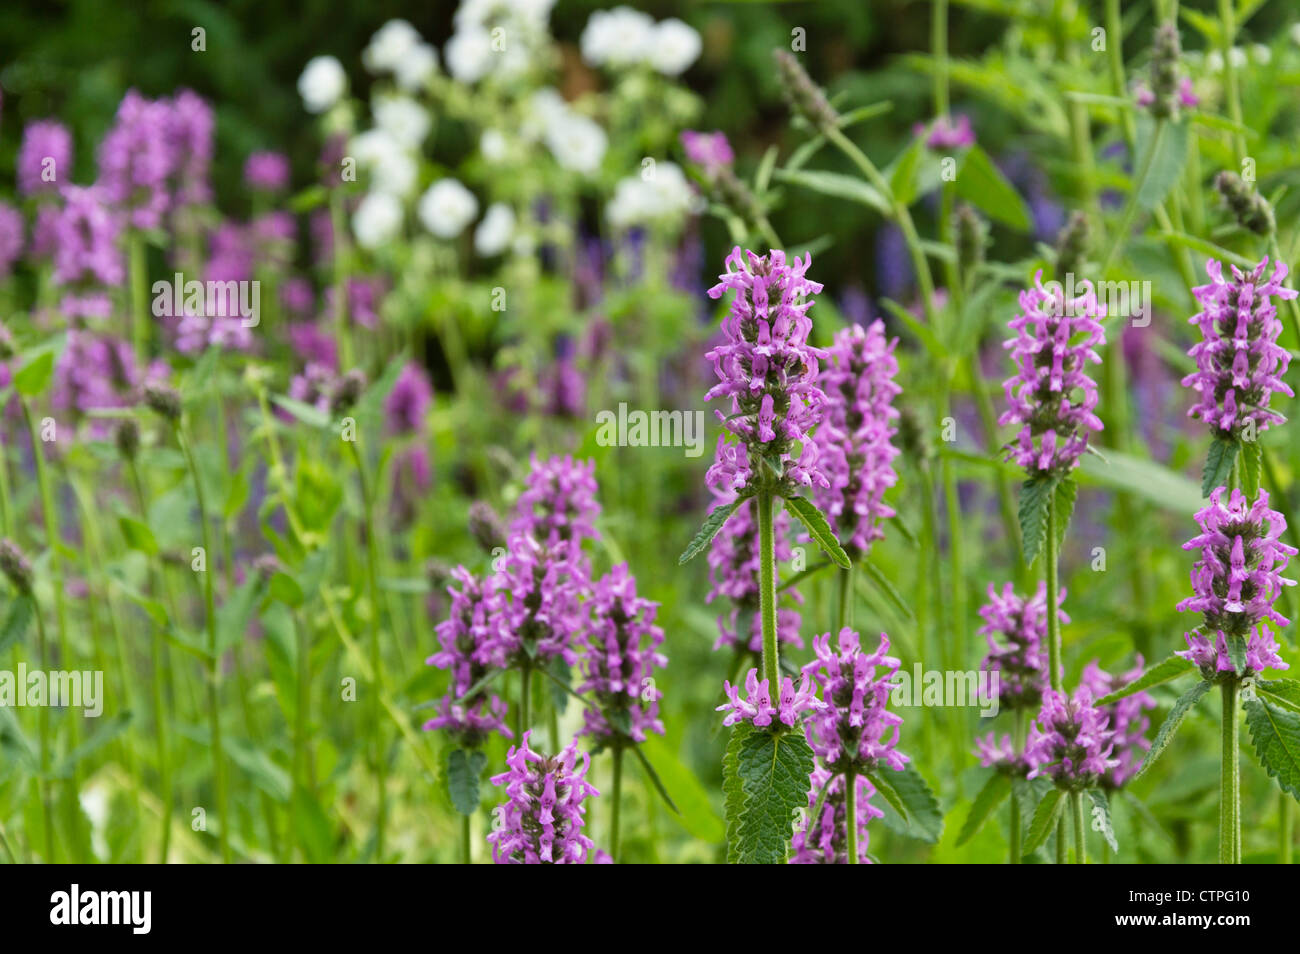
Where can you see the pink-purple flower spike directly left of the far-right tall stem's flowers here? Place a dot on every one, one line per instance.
(1051, 396)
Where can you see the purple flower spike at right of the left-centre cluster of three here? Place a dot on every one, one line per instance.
(621, 657)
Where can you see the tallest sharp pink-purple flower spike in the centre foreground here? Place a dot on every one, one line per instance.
(769, 370)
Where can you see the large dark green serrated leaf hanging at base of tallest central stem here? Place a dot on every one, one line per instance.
(766, 779)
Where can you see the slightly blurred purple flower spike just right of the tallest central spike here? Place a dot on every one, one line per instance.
(856, 439)
